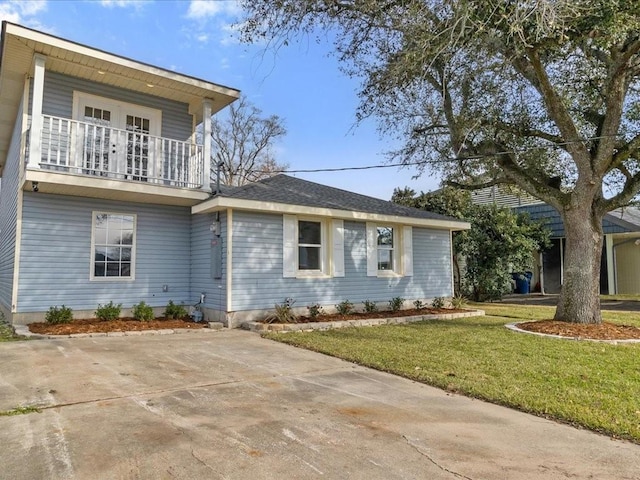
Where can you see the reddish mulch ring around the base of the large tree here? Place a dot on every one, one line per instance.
(604, 331)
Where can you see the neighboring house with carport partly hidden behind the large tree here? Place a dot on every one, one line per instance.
(620, 264)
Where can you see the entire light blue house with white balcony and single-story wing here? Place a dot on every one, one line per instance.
(105, 197)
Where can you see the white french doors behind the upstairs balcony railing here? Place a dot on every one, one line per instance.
(116, 137)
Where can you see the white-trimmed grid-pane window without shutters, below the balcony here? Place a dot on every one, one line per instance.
(113, 242)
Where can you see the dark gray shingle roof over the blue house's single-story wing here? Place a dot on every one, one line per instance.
(295, 191)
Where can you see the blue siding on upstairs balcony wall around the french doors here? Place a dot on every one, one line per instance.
(58, 101)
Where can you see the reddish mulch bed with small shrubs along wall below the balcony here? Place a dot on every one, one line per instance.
(93, 325)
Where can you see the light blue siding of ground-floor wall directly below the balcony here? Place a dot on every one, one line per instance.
(55, 257)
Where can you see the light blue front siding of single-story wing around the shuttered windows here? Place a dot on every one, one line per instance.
(258, 282)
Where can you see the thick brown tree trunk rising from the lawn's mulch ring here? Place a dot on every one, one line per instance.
(580, 295)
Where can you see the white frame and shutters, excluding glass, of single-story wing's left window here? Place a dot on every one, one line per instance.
(331, 247)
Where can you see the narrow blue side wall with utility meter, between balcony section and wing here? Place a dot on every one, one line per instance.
(201, 278)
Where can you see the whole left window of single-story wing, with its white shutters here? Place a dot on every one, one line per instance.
(312, 246)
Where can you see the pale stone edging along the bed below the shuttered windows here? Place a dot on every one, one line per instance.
(307, 327)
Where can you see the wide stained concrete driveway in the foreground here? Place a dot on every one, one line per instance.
(231, 405)
